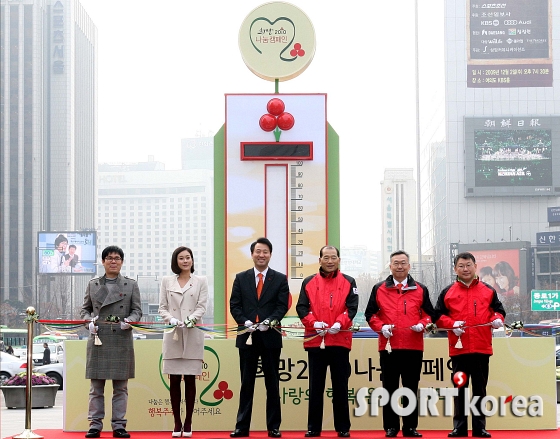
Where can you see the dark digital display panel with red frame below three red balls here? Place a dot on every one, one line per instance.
(277, 150)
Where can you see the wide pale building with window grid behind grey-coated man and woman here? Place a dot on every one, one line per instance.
(149, 212)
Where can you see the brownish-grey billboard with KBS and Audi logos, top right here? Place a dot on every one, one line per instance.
(509, 44)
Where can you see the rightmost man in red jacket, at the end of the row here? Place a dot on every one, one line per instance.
(472, 308)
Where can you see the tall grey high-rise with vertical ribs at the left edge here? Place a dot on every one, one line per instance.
(48, 136)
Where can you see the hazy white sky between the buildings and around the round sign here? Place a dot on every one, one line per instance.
(164, 68)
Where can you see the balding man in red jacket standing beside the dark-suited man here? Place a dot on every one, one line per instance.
(328, 301)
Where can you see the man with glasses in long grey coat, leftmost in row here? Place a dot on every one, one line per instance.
(111, 302)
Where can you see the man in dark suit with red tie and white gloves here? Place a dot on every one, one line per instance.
(259, 297)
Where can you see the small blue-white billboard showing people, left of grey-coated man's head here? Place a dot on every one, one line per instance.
(67, 252)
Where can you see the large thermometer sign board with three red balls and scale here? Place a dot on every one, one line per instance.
(278, 172)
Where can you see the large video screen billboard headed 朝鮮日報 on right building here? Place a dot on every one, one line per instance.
(512, 156)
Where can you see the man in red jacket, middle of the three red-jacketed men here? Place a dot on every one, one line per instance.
(399, 309)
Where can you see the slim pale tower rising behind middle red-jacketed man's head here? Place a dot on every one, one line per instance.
(398, 214)
